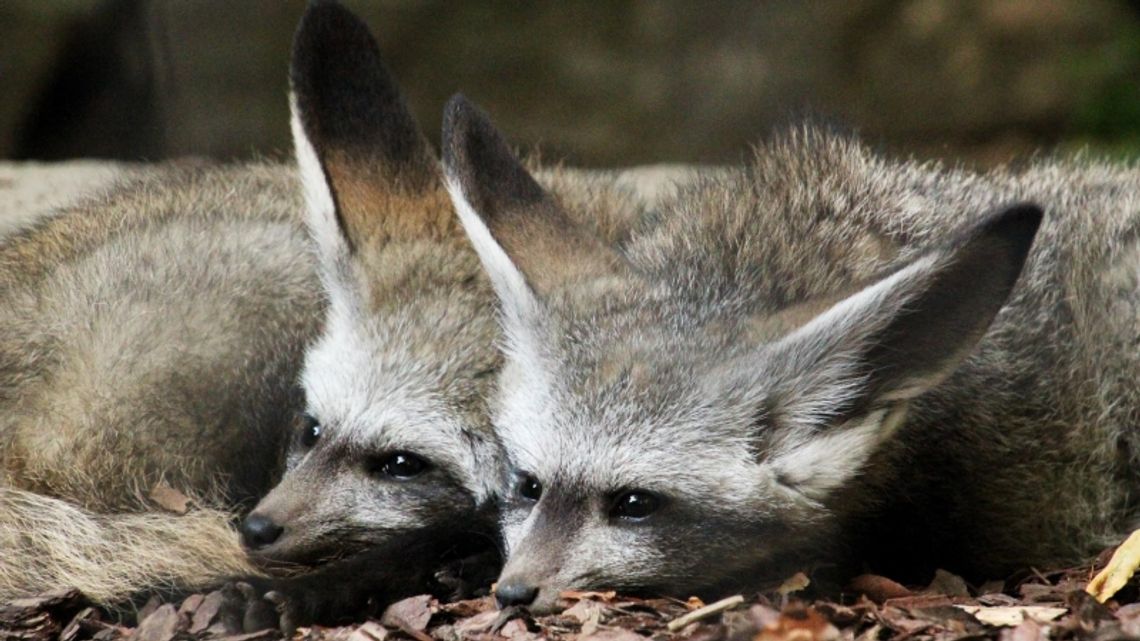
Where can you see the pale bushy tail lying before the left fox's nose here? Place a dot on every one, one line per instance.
(48, 545)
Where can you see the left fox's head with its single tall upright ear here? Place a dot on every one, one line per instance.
(395, 450)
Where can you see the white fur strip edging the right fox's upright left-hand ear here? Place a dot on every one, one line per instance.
(510, 285)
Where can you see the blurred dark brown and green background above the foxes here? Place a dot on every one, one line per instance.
(600, 84)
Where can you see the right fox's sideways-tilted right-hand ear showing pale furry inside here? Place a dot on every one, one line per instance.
(843, 380)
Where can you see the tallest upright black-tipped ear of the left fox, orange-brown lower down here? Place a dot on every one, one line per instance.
(363, 159)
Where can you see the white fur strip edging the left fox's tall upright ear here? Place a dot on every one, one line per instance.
(321, 210)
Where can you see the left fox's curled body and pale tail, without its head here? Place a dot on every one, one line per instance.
(149, 336)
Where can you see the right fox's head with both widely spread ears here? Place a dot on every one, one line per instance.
(663, 432)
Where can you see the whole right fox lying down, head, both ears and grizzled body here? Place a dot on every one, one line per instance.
(823, 356)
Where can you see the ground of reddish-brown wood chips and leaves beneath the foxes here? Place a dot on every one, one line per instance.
(1038, 606)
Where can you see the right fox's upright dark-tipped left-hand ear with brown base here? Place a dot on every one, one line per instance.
(526, 241)
